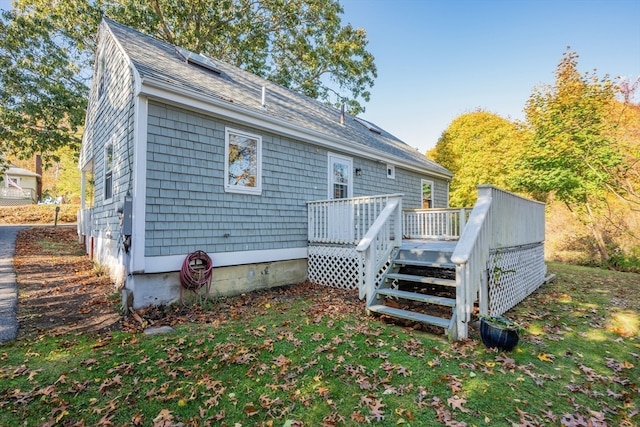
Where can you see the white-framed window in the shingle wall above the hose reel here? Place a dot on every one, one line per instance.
(243, 162)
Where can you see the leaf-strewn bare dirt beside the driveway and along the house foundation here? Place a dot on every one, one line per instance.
(60, 291)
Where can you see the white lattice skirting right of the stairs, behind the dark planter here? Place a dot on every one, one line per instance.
(514, 273)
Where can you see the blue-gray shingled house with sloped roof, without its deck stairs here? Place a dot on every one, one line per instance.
(187, 153)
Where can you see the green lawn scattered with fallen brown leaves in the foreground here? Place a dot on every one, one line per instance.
(306, 361)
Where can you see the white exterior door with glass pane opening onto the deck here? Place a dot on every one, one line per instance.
(340, 215)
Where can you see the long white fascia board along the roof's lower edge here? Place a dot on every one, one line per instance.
(184, 98)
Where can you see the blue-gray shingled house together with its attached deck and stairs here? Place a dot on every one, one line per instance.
(189, 154)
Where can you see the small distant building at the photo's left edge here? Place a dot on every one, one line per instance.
(19, 186)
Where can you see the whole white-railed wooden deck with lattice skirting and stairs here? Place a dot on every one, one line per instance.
(490, 257)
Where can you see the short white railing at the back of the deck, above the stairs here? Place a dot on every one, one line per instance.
(434, 223)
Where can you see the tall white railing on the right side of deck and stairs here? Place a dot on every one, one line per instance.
(499, 220)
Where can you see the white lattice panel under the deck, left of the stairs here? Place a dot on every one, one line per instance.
(338, 267)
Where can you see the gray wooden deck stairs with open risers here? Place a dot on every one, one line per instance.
(420, 285)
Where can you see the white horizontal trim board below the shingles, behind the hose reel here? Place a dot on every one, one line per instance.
(165, 264)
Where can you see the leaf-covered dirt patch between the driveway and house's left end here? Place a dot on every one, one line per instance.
(59, 290)
